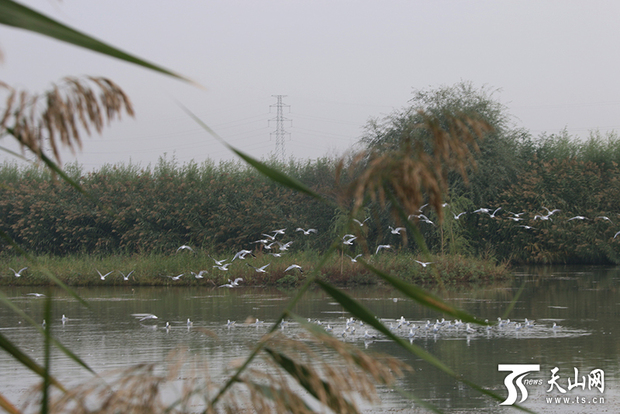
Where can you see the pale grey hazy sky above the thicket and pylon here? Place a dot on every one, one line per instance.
(555, 64)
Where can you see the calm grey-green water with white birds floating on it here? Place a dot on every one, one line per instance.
(584, 302)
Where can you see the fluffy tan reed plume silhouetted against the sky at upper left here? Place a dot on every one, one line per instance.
(57, 117)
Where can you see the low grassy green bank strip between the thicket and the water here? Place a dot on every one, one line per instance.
(164, 270)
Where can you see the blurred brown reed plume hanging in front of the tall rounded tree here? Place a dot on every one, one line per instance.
(410, 172)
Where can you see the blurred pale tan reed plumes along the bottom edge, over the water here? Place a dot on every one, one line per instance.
(265, 387)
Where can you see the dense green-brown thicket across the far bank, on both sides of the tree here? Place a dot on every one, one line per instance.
(225, 207)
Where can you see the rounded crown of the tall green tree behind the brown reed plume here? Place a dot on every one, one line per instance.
(498, 159)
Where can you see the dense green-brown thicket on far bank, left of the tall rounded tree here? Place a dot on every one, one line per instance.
(132, 210)
